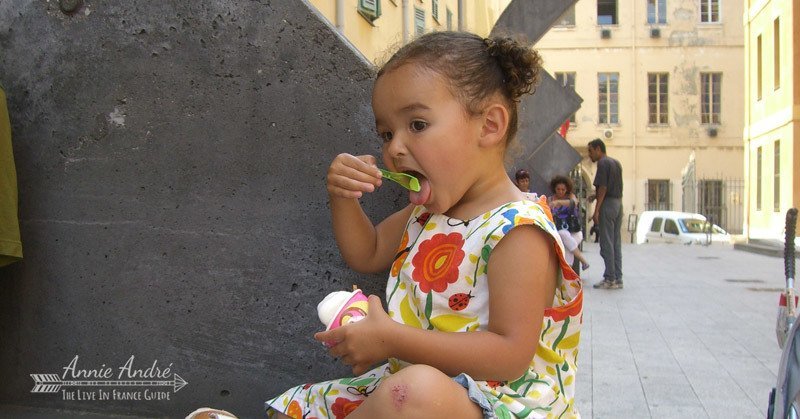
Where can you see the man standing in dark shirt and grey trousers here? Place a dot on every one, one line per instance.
(608, 213)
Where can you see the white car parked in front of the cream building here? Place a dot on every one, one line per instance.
(677, 227)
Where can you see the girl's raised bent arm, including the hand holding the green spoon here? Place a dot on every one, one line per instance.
(365, 247)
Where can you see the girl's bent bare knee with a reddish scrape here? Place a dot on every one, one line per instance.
(418, 391)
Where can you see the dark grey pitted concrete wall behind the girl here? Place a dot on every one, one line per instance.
(171, 159)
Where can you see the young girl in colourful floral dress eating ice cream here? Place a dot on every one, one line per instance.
(483, 314)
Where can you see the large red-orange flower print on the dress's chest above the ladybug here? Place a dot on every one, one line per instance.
(436, 262)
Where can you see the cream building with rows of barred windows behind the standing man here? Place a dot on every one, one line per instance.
(661, 83)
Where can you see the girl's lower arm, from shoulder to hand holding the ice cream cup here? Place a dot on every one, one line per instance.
(522, 280)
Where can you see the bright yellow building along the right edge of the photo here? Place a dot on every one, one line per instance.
(772, 115)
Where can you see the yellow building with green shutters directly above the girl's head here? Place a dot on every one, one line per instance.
(378, 27)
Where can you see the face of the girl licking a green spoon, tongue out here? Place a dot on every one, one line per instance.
(427, 132)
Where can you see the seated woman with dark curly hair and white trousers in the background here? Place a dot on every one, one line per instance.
(563, 204)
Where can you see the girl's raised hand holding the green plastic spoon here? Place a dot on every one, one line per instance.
(350, 176)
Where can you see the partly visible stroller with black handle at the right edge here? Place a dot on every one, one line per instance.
(784, 399)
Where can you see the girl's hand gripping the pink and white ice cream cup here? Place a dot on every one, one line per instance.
(364, 343)
